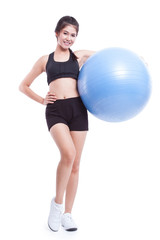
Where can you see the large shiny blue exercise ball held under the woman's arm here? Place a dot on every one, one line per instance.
(114, 84)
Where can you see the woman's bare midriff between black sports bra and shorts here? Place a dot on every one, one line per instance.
(64, 88)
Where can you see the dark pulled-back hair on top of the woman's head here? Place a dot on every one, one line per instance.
(65, 21)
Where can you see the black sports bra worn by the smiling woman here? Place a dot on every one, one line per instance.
(66, 69)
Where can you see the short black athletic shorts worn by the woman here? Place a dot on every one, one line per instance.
(70, 111)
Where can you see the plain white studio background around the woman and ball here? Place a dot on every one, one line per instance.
(118, 195)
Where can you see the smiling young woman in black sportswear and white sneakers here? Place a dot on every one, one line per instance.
(66, 116)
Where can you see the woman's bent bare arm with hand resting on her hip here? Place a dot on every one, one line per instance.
(38, 68)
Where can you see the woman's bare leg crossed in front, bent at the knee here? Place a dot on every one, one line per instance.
(62, 136)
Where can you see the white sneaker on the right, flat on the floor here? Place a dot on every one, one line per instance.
(68, 222)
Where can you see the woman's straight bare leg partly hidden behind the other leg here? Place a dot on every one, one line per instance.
(78, 138)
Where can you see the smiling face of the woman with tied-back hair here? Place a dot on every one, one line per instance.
(67, 36)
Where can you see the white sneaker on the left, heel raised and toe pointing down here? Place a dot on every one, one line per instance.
(54, 219)
